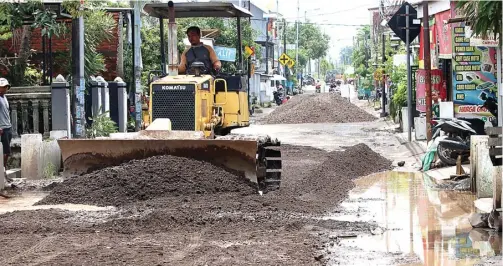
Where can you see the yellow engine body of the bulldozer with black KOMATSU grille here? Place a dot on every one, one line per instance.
(203, 103)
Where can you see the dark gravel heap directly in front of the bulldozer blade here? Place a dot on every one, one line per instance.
(139, 180)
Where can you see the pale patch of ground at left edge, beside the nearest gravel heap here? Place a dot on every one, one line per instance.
(25, 200)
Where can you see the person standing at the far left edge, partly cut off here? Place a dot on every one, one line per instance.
(5, 124)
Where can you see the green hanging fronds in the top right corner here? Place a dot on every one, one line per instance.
(484, 16)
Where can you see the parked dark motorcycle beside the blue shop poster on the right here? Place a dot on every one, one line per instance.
(455, 139)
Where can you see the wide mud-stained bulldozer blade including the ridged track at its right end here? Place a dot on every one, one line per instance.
(244, 157)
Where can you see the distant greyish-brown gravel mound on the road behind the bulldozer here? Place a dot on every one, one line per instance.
(317, 108)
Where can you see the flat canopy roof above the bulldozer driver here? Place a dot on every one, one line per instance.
(197, 9)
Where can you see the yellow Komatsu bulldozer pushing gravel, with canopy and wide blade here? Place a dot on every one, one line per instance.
(196, 112)
